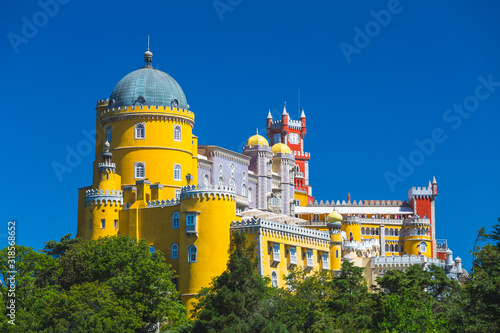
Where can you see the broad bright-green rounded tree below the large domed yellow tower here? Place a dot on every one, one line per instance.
(140, 280)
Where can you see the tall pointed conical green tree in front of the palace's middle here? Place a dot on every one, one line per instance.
(237, 300)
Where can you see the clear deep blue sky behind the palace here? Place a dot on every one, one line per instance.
(366, 107)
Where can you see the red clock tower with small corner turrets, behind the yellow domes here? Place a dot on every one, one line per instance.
(292, 132)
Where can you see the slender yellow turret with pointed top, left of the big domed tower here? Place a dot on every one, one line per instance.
(103, 203)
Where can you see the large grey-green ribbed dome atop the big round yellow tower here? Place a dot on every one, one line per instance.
(148, 86)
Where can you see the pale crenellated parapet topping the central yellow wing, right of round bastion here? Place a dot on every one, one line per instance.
(282, 228)
